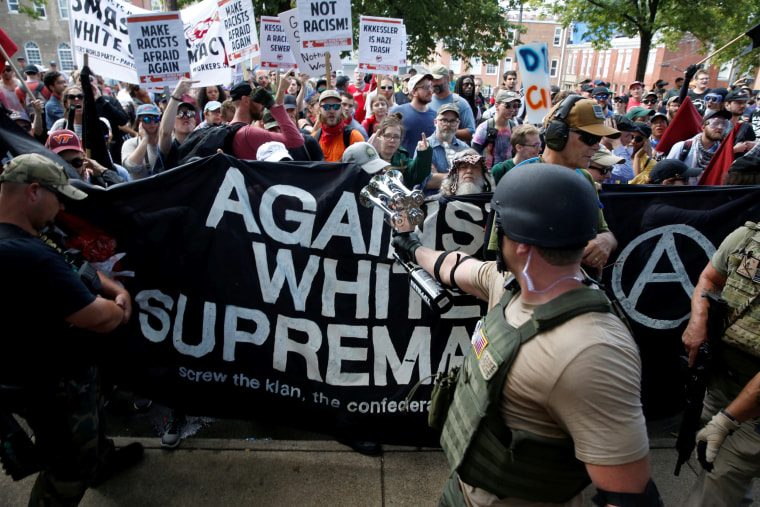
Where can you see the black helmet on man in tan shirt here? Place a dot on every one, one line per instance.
(546, 205)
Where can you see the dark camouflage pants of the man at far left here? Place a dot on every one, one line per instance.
(69, 433)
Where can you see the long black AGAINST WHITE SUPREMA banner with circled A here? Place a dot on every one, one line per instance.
(265, 290)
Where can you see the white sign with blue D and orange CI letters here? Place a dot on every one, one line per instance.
(534, 71)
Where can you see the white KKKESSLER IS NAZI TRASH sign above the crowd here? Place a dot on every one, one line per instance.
(380, 44)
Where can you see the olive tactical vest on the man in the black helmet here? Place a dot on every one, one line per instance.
(480, 447)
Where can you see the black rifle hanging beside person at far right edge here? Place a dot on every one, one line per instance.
(699, 376)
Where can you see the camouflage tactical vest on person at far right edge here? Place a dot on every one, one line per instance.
(741, 293)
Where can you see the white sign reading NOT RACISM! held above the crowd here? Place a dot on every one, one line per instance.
(325, 25)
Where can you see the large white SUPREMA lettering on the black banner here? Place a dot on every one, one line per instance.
(289, 333)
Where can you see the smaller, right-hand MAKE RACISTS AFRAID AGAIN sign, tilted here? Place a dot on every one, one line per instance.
(239, 30)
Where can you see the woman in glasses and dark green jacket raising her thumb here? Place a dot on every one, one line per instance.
(387, 141)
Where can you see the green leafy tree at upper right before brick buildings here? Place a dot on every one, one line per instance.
(710, 22)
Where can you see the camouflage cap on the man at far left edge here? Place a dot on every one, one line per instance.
(37, 168)
